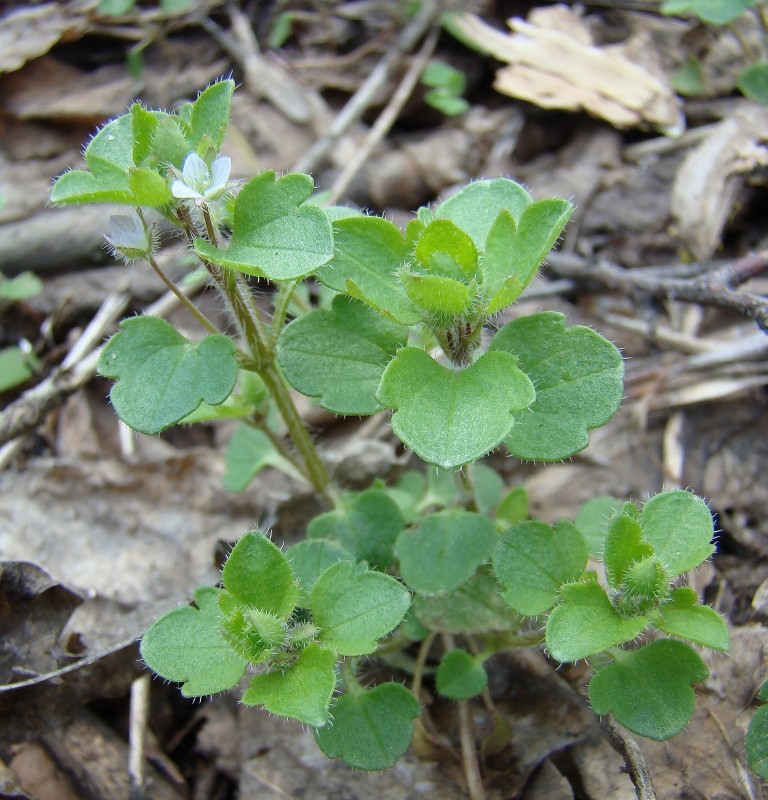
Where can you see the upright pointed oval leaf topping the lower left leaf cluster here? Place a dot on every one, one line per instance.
(258, 574)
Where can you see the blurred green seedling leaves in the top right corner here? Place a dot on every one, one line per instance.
(753, 80)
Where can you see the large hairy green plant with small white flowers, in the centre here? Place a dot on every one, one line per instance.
(403, 324)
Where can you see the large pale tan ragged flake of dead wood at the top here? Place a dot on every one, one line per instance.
(554, 63)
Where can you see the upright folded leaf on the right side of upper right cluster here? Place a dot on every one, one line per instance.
(514, 251)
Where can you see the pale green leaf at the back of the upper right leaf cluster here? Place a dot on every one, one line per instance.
(475, 208)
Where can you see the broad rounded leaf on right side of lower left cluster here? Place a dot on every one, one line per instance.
(354, 607)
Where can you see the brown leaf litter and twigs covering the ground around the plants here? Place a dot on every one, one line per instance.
(666, 255)
